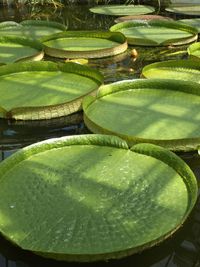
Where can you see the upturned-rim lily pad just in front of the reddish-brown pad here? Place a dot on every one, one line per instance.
(156, 32)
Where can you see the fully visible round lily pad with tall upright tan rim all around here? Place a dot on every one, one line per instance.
(86, 44)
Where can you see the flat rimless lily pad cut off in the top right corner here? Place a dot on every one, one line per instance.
(192, 10)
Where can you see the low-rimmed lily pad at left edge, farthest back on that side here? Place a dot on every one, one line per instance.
(34, 29)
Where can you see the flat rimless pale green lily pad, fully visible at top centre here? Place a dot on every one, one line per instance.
(122, 10)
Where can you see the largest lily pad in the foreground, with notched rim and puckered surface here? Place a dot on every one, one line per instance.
(68, 199)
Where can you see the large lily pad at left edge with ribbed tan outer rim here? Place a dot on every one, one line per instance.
(44, 90)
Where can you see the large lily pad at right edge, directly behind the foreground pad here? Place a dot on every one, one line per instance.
(164, 112)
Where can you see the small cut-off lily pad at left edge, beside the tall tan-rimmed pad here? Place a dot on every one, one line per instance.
(13, 49)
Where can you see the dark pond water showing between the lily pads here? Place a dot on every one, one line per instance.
(183, 248)
